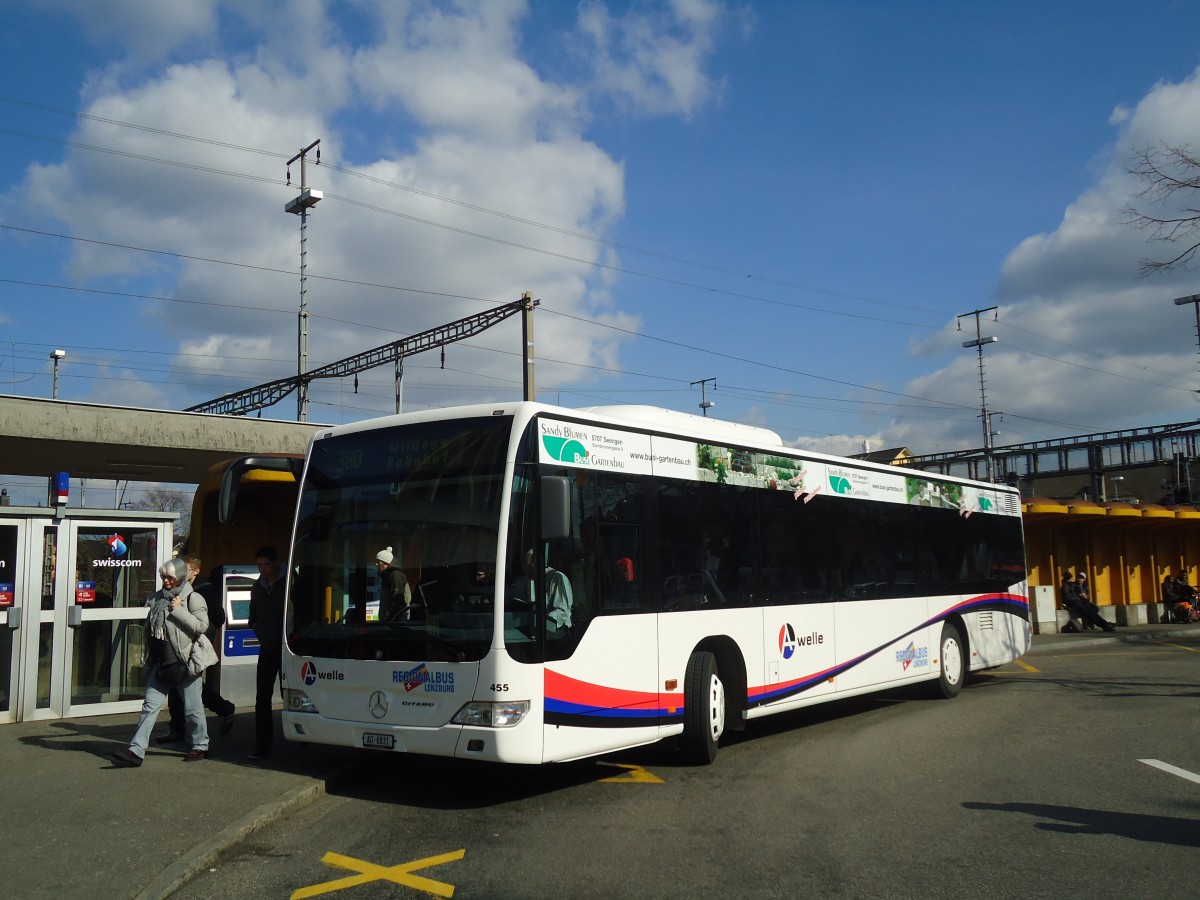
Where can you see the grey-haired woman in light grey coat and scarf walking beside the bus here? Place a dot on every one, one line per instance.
(177, 619)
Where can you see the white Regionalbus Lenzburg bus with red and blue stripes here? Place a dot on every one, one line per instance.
(590, 580)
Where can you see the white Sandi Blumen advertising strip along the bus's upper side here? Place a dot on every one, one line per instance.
(635, 454)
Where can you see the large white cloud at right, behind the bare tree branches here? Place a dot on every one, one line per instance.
(1082, 333)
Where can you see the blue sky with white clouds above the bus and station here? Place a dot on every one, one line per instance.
(797, 200)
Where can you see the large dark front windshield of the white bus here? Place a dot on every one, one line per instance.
(395, 543)
